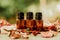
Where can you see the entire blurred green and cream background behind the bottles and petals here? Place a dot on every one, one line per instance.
(49, 8)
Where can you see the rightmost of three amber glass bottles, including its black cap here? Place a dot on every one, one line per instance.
(39, 21)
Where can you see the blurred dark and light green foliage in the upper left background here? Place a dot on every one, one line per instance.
(9, 8)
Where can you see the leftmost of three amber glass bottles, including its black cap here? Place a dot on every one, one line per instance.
(20, 21)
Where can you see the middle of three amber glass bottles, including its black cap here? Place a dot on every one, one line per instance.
(29, 20)
